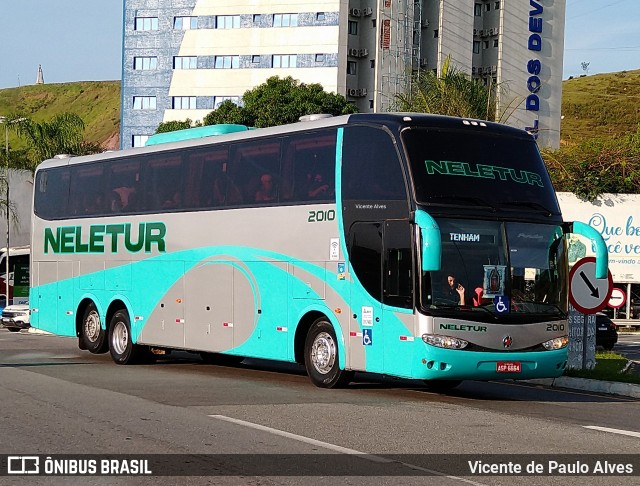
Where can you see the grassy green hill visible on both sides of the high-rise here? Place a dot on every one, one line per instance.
(601, 105)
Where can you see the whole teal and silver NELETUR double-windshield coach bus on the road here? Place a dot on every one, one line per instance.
(330, 243)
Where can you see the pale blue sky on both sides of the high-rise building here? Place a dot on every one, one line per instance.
(81, 40)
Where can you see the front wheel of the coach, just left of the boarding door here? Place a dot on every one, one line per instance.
(321, 357)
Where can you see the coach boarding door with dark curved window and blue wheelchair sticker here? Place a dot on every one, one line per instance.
(366, 326)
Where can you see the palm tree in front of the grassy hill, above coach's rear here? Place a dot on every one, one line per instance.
(61, 135)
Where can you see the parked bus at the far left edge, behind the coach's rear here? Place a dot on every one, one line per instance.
(18, 291)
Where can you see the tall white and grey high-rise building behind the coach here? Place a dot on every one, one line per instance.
(181, 58)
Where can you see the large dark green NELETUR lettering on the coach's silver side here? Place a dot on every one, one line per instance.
(70, 239)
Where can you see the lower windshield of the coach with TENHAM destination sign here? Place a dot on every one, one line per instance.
(514, 270)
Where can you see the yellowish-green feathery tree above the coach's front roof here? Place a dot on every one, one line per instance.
(452, 93)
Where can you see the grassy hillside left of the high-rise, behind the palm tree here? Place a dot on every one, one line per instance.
(96, 102)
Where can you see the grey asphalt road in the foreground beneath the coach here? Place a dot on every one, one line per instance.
(56, 399)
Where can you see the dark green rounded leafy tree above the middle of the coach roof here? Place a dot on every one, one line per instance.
(279, 101)
